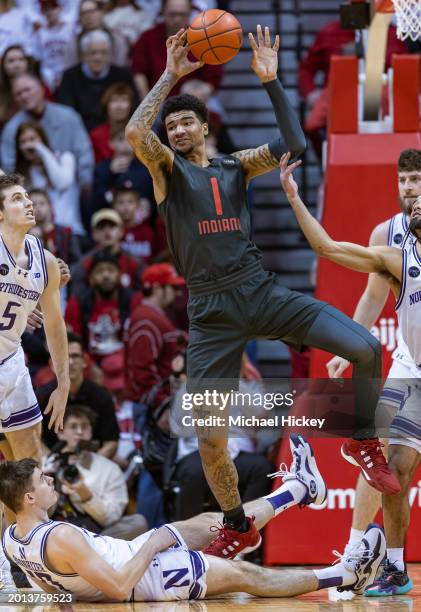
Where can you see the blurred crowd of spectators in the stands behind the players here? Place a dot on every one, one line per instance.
(71, 74)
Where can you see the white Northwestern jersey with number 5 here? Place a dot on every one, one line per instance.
(20, 291)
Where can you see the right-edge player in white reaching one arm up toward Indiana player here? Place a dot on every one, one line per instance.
(401, 268)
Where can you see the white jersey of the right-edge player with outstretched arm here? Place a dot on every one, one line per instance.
(408, 305)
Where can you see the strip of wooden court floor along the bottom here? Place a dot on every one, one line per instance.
(312, 602)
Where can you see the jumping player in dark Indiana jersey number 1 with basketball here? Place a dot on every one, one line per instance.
(231, 297)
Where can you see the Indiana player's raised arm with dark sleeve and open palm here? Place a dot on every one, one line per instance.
(265, 64)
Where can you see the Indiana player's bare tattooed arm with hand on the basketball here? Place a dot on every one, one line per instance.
(145, 143)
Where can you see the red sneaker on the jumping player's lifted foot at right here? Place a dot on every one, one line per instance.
(368, 455)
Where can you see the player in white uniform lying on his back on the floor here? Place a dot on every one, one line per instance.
(165, 564)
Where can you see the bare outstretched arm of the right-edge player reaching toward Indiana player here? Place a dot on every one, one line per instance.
(347, 254)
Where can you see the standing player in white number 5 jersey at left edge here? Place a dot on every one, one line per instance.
(28, 275)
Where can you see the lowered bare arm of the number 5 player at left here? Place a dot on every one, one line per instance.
(55, 332)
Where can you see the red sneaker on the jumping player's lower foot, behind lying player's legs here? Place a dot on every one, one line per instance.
(230, 542)
